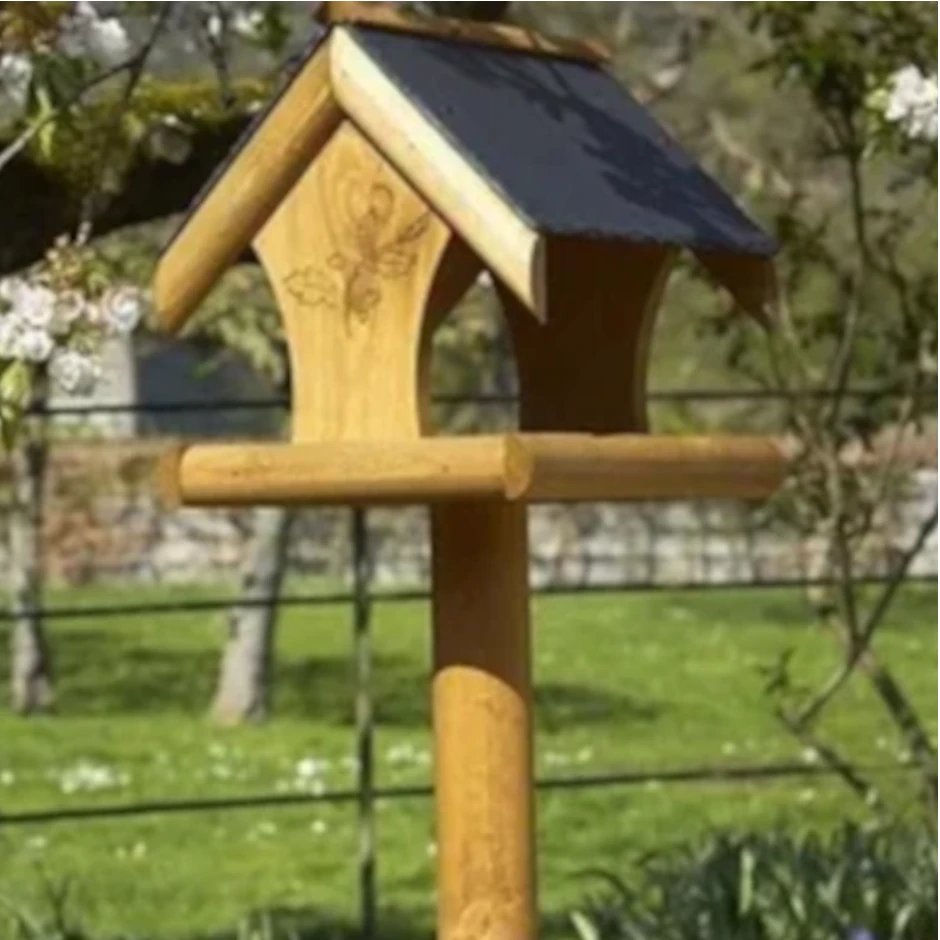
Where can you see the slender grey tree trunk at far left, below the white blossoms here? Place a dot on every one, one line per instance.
(30, 661)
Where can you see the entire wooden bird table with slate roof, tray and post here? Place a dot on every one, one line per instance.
(401, 159)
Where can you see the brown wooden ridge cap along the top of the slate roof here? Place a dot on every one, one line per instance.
(498, 35)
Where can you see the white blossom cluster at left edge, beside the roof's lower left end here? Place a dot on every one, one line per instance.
(62, 330)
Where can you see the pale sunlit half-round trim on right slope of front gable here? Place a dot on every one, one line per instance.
(505, 241)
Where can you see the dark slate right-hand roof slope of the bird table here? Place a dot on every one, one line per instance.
(565, 144)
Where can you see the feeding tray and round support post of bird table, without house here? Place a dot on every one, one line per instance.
(478, 490)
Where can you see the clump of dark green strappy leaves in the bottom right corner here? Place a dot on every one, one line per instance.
(858, 884)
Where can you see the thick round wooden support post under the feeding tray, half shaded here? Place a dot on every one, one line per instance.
(482, 702)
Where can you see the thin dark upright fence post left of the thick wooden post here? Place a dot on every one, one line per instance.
(365, 784)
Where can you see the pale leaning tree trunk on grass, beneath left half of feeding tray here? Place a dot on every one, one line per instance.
(243, 690)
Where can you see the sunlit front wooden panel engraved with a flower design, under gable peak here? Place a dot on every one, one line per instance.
(353, 256)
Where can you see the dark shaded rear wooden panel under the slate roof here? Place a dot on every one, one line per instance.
(585, 367)
